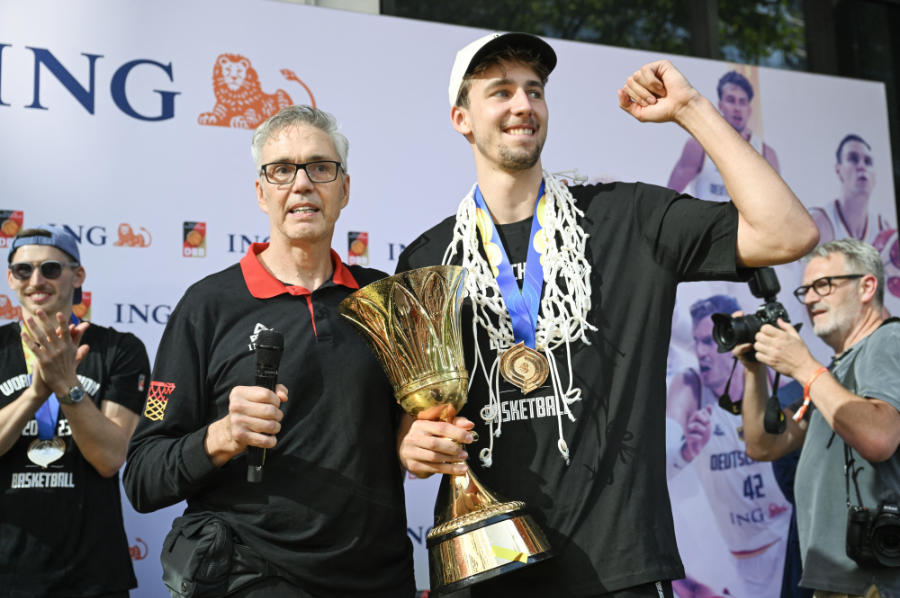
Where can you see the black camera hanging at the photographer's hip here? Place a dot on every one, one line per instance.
(873, 538)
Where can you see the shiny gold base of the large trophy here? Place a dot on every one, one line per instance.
(482, 545)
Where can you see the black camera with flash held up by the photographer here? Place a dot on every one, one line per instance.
(729, 332)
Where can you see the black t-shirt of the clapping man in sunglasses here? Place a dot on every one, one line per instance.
(61, 530)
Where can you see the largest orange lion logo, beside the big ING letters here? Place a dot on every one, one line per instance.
(240, 100)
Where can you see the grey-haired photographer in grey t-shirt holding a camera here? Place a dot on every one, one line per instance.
(848, 424)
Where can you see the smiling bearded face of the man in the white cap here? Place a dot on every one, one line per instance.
(506, 118)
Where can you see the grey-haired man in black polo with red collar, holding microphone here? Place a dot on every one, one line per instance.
(328, 517)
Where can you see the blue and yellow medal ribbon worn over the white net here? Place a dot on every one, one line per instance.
(521, 304)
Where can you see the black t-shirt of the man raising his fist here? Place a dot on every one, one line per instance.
(607, 514)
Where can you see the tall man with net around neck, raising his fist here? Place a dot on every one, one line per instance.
(583, 430)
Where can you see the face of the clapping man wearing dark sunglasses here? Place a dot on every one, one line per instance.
(37, 292)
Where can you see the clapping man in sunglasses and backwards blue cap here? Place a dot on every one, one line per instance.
(70, 395)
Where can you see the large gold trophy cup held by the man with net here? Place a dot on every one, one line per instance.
(412, 323)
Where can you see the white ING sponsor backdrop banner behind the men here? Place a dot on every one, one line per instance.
(114, 126)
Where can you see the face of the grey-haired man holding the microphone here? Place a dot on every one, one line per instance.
(301, 212)
